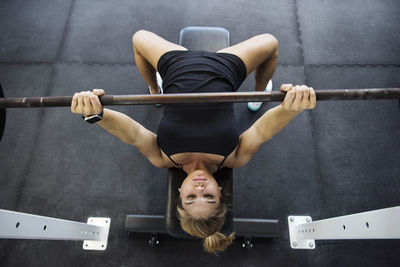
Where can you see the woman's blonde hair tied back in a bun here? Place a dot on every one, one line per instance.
(208, 228)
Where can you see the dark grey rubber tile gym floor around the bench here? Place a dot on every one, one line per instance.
(341, 158)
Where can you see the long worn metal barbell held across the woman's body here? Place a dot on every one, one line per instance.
(110, 100)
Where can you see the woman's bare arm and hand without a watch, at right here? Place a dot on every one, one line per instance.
(274, 120)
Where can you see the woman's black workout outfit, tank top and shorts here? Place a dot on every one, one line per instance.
(206, 128)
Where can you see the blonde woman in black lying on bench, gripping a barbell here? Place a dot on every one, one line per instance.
(200, 138)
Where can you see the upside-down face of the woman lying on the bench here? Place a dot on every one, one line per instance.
(200, 194)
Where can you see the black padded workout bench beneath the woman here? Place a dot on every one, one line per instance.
(209, 39)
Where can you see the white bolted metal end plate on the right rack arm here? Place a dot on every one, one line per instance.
(295, 241)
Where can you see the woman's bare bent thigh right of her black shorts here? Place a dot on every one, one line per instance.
(254, 51)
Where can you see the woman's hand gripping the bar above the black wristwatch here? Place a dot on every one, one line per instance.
(87, 103)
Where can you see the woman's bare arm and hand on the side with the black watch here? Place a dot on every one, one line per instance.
(119, 125)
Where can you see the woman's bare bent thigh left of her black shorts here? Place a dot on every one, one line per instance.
(151, 46)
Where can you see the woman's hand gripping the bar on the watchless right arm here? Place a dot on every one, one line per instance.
(298, 98)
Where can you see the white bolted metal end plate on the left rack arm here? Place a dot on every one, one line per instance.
(102, 243)
